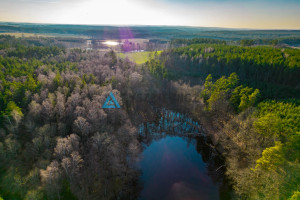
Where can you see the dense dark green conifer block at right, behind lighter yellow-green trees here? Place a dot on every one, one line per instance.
(275, 71)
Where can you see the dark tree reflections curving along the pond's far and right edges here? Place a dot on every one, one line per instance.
(169, 123)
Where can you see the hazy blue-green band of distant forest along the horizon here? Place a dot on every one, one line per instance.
(161, 32)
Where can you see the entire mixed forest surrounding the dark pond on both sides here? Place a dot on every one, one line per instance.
(56, 142)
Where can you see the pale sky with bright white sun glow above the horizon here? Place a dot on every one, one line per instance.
(253, 14)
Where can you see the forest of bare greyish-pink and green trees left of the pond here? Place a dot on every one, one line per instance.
(54, 142)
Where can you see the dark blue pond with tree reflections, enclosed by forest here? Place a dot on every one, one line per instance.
(177, 167)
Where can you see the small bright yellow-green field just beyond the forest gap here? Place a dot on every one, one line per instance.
(139, 57)
